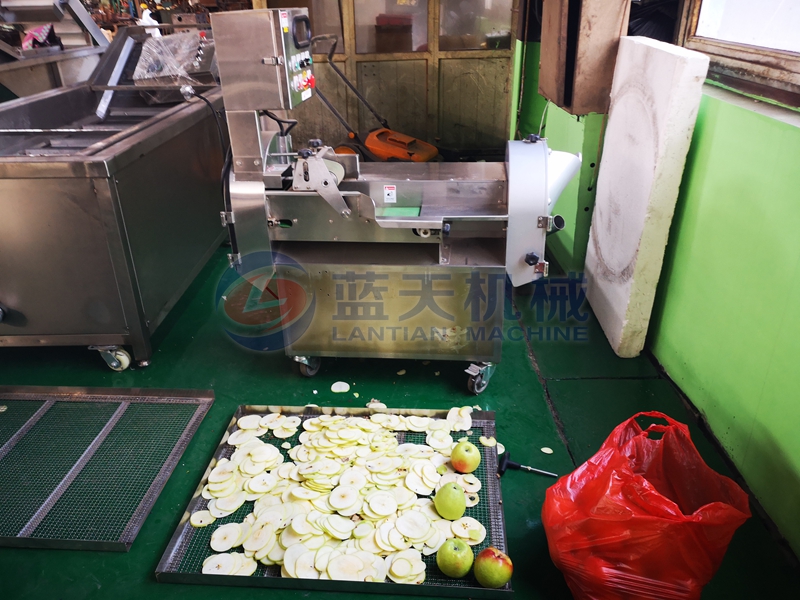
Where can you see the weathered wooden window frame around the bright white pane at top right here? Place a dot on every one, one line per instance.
(754, 69)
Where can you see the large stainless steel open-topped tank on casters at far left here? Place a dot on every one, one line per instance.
(109, 215)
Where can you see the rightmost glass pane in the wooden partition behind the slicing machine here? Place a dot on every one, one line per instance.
(475, 24)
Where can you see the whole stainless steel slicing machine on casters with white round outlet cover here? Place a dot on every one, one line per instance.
(453, 230)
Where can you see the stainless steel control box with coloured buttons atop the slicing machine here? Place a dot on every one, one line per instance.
(264, 58)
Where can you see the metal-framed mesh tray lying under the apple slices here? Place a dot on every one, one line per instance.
(183, 559)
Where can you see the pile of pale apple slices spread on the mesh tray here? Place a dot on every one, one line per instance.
(352, 505)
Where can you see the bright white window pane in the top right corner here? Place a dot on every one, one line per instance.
(767, 23)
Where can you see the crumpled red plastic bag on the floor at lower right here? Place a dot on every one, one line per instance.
(642, 518)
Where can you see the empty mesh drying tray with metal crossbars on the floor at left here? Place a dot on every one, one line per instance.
(80, 468)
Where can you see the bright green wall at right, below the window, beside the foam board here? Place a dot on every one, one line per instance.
(726, 324)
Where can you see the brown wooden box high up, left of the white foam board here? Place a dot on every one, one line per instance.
(579, 49)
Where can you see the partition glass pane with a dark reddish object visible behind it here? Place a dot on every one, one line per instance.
(386, 26)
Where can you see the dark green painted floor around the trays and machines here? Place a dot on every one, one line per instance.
(587, 386)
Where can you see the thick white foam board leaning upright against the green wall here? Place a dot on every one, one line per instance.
(655, 96)
